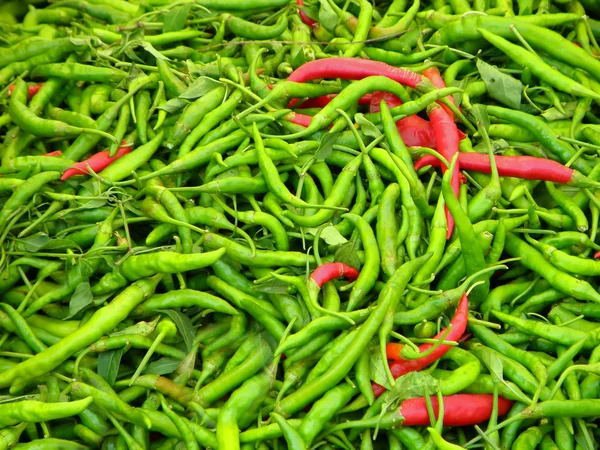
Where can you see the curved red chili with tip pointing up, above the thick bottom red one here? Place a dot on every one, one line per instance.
(400, 366)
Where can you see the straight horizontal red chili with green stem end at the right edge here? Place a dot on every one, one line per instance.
(526, 167)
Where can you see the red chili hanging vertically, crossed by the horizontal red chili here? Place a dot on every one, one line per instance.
(448, 141)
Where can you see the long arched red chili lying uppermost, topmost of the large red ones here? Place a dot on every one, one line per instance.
(355, 69)
